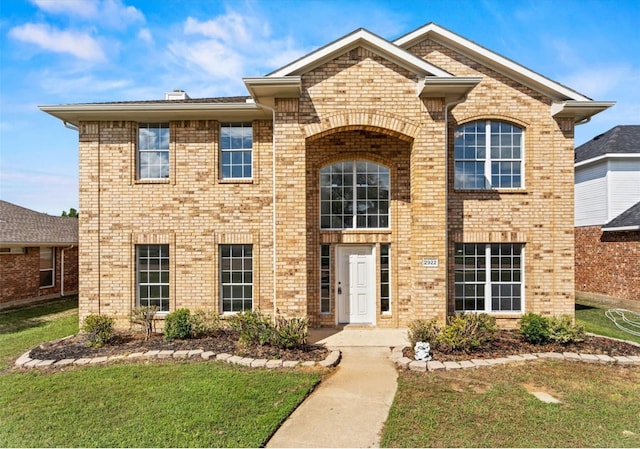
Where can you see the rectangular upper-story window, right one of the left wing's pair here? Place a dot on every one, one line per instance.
(236, 148)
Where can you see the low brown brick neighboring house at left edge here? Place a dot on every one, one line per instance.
(38, 256)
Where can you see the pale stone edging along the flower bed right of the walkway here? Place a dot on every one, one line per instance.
(433, 365)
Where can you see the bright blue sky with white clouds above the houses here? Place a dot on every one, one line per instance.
(76, 51)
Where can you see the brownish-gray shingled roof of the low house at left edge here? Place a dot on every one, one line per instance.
(21, 226)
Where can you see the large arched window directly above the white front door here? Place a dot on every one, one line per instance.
(354, 194)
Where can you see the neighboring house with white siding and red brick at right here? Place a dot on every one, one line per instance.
(607, 217)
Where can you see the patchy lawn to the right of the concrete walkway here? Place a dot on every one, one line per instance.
(491, 407)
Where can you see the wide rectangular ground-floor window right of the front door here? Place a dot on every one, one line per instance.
(488, 277)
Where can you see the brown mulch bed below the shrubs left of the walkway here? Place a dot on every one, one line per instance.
(128, 343)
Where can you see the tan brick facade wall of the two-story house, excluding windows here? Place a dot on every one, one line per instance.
(357, 106)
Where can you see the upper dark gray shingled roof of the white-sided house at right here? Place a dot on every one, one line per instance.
(620, 139)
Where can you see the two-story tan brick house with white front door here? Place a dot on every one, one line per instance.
(370, 182)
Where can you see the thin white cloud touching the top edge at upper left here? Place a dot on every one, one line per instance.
(110, 13)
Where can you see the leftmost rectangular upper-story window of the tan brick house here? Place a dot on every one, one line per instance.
(153, 151)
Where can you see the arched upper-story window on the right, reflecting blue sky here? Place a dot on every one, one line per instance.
(488, 155)
